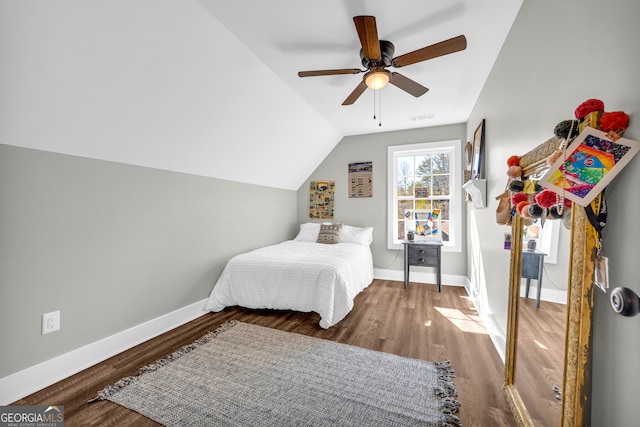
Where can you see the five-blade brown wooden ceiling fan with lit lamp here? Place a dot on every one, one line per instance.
(376, 55)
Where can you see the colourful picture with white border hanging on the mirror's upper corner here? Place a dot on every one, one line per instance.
(592, 160)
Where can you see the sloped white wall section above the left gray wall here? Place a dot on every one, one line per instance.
(157, 83)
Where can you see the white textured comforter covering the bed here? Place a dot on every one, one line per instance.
(292, 275)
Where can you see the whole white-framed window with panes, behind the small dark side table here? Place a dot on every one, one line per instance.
(423, 178)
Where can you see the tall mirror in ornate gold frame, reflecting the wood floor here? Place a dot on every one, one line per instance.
(541, 386)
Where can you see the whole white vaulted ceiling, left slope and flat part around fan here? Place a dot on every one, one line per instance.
(210, 87)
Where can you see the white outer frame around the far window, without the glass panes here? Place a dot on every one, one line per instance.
(393, 152)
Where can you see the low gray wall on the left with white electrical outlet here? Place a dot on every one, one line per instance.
(112, 246)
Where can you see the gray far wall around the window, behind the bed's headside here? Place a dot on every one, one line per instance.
(372, 212)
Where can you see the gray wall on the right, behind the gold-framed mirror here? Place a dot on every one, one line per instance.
(557, 55)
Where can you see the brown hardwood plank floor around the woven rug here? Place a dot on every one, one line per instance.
(418, 322)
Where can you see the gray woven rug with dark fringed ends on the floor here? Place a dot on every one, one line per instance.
(248, 375)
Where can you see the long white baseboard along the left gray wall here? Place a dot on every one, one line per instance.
(28, 381)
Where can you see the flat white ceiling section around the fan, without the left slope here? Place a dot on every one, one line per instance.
(295, 35)
